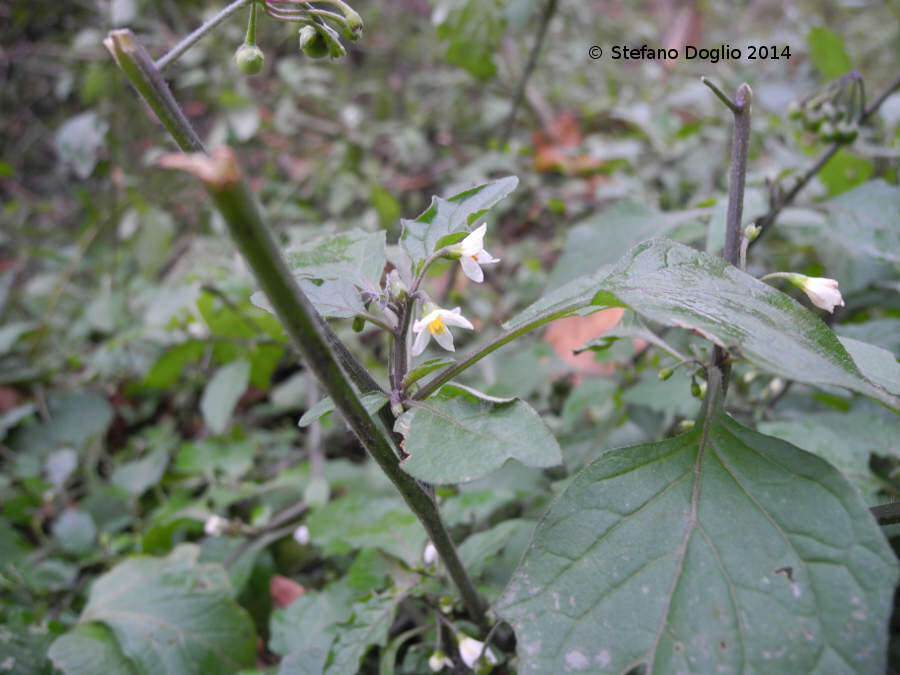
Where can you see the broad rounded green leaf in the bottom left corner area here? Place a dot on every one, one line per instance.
(173, 614)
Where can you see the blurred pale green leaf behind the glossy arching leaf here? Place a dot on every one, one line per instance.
(600, 240)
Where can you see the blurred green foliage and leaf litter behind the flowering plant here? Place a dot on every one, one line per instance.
(142, 392)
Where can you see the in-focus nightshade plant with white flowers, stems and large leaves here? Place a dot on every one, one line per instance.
(717, 550)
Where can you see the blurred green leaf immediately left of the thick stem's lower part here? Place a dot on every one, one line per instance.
(359, 521)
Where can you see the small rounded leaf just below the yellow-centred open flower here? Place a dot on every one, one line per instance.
(459, 435)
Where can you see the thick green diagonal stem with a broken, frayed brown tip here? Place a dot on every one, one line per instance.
(301, 322)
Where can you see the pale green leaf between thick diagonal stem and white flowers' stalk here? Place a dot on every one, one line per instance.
(354, 255)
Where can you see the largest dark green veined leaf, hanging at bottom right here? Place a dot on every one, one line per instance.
(721, 550)
